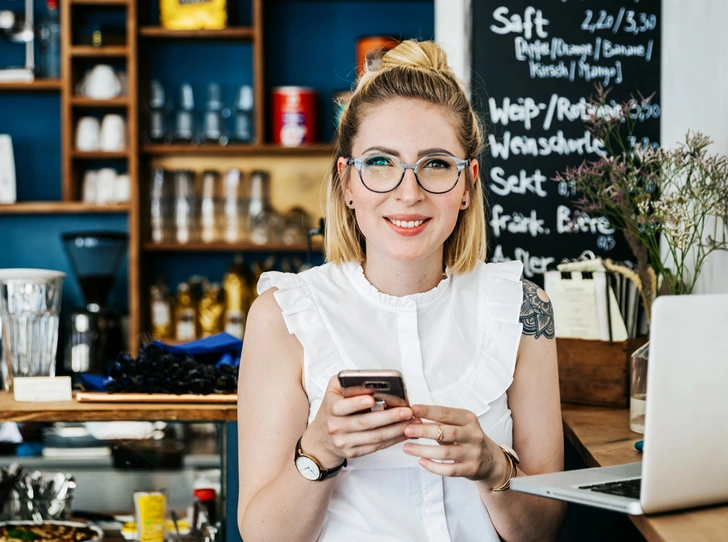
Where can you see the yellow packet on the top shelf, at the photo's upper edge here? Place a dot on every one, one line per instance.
(193, 14)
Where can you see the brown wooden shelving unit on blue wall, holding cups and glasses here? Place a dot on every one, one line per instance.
(75, 60)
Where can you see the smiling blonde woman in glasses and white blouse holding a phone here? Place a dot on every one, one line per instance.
(404, 288)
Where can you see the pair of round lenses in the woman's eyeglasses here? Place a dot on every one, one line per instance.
(382, 173)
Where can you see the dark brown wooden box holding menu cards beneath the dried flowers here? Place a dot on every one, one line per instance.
(595, 372)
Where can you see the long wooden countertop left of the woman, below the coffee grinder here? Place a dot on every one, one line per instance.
(73, 411)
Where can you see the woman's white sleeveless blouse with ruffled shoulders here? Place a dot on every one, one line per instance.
(456, 346)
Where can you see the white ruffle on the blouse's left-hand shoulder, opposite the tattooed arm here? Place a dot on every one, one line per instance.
(304, 320)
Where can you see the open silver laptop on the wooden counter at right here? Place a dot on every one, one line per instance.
(684, 462)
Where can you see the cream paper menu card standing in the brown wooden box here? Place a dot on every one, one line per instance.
(585, 307)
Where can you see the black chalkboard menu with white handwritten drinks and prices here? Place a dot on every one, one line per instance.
(535, 66)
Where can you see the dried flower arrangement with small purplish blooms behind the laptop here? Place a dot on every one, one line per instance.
(650, 193)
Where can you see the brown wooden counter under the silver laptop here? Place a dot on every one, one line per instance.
(602, 438)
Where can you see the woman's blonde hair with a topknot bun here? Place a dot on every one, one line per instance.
(416, 70)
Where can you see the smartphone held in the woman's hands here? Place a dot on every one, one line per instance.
(386, 386)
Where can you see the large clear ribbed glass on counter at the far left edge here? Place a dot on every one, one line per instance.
(30, 304)
